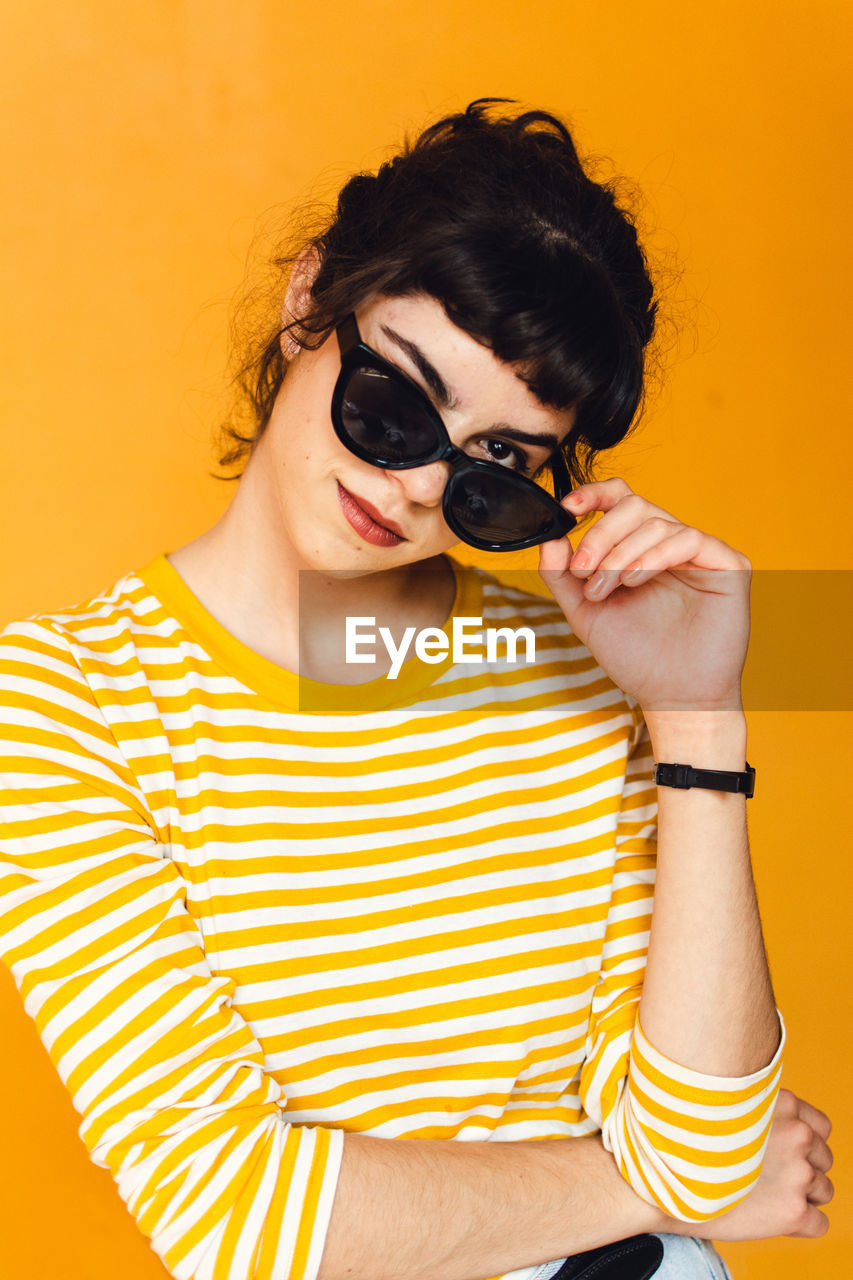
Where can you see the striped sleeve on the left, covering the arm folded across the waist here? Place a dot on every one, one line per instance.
(97, 930)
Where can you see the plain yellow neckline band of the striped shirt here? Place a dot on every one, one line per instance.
(284, 688)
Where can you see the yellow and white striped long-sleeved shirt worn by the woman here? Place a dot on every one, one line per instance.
(418, 911)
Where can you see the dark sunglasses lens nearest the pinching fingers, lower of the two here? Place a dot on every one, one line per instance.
(499, 509)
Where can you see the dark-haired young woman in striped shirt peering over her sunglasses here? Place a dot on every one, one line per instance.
(276, 907)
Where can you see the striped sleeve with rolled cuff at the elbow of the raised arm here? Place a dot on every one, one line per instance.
(687, 1142)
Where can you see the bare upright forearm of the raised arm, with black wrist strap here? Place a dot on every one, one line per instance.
(708, 999)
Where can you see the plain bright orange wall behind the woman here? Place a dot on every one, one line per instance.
(144, 140)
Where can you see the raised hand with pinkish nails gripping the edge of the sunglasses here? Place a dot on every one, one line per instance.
(662, 606)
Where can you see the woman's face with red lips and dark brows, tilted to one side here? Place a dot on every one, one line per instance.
(339, 513)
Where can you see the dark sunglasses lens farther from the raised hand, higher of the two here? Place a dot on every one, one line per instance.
(385, 420)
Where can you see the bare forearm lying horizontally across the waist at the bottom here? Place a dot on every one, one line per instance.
(466, 1210)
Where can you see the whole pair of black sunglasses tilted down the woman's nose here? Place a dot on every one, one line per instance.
(386, 419)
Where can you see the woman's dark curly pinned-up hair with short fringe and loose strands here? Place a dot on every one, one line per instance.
(494, 216)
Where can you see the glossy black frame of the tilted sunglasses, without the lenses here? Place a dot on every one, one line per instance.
(355, 355)
